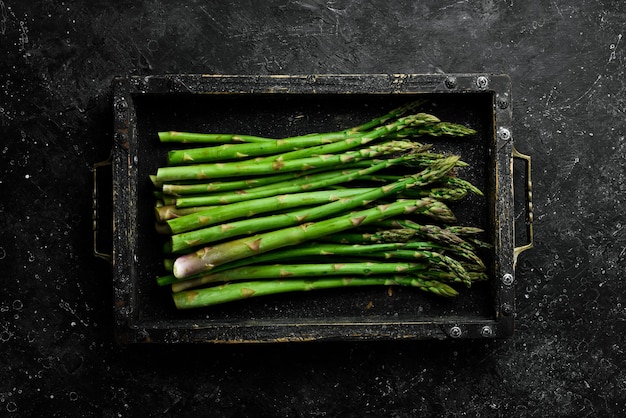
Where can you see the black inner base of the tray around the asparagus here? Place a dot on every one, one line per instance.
(282, 115)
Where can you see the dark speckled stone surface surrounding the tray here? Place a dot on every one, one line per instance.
(566, 60)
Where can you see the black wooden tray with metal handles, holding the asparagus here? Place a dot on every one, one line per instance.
(279, 106)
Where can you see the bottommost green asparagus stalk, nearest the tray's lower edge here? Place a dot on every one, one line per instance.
(230, 292)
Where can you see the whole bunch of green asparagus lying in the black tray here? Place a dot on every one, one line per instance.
(247, 216)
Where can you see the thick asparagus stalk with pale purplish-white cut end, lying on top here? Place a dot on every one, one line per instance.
(207, 258)
